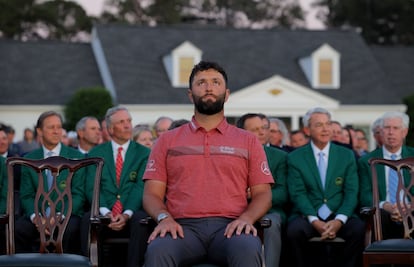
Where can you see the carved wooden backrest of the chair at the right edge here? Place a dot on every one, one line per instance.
(405, 193)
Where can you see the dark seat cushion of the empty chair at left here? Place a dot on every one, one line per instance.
(44, 260)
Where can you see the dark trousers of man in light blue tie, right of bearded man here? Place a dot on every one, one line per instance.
(299, 231)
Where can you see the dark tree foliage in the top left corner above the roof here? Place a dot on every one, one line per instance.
(33, 20)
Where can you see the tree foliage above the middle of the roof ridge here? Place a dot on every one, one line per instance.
(239, 14)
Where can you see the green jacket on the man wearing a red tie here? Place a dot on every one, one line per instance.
(131, 186)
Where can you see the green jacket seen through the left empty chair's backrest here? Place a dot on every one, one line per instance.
(29, 182)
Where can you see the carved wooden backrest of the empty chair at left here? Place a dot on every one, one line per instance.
(55, 204)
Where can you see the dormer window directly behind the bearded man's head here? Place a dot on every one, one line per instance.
(180, 62)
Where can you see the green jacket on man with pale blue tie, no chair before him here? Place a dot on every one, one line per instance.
(305, 186)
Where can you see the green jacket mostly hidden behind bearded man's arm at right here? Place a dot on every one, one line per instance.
(276, 159)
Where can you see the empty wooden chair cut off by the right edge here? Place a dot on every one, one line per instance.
(391, 251)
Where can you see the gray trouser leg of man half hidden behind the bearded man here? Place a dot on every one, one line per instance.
(273, 240)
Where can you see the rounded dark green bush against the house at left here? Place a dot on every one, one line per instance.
(87, 102)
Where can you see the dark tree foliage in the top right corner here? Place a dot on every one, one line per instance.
(380, 21)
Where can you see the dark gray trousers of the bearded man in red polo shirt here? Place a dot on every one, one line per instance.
(203, 241)
